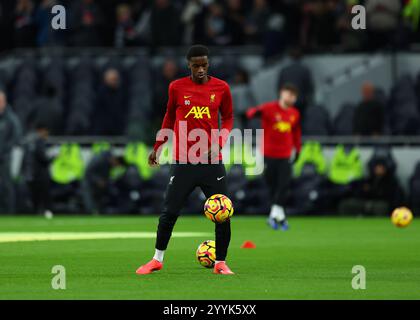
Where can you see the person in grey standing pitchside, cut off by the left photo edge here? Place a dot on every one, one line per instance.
(10, 134)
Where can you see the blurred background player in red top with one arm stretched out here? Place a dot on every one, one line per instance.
(282, 134)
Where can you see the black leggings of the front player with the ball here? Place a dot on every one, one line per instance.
(184, 178)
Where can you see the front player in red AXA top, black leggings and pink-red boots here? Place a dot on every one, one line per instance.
(206, 170)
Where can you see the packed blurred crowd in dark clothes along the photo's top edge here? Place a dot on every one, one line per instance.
(315, 25)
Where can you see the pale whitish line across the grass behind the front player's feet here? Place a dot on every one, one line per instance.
(53, 236)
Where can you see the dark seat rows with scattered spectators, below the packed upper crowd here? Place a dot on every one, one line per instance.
(76, 97)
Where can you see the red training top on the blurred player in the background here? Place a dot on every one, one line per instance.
(282, 131)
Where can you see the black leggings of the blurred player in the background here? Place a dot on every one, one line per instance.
(278, 175)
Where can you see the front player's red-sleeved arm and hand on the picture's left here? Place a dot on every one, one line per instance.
(168, 123)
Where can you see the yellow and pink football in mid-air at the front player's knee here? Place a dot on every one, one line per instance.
(218, 208)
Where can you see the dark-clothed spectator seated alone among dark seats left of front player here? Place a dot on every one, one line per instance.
(109, 114)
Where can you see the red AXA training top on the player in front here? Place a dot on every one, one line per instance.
(196, 106)
